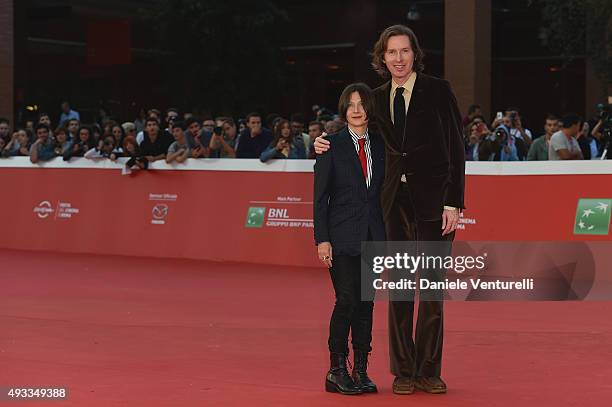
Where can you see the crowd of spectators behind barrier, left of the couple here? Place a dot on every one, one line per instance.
(175, 137)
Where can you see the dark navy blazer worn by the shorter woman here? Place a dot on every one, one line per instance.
(345, 209)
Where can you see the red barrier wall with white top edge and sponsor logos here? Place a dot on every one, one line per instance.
(246, 211)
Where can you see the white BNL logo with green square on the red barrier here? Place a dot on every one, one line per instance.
(284, 212)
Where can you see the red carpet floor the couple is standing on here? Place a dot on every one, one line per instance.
(145, 332)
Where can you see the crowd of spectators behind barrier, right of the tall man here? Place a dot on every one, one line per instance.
(506, 139)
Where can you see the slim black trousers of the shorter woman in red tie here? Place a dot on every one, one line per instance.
(350, 313)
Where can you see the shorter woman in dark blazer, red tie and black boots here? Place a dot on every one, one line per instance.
(347, 211)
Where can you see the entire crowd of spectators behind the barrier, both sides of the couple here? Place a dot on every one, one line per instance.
(175, 137)
